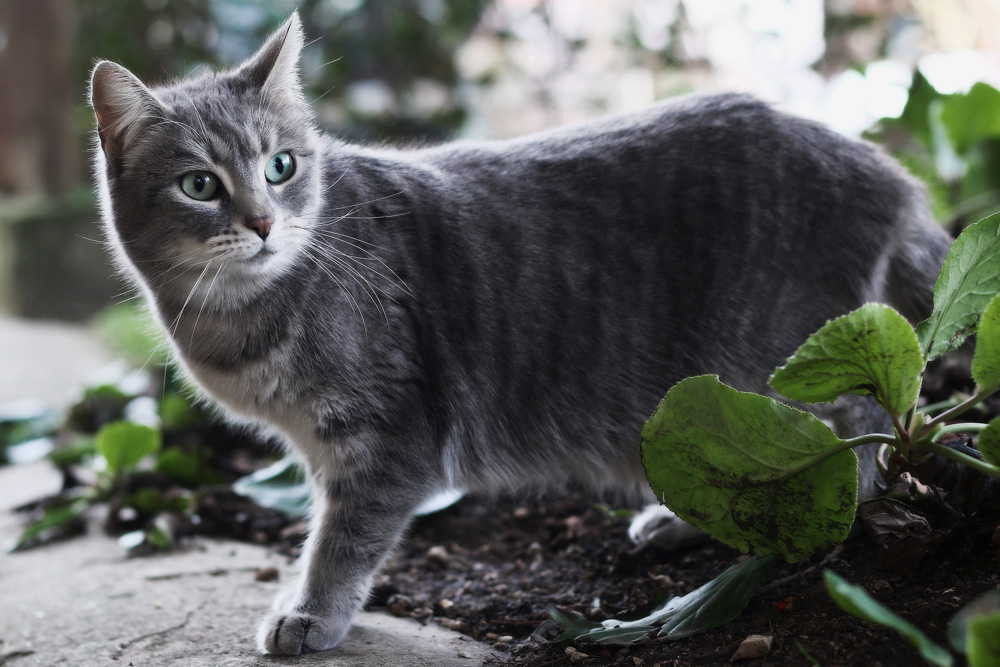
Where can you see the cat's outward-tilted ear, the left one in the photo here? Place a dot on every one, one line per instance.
(122, 104)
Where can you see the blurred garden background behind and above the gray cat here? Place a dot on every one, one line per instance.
(919, 76)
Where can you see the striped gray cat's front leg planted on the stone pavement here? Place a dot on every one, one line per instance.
(348, 542)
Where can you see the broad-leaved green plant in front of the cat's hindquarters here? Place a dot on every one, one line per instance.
(728, 461)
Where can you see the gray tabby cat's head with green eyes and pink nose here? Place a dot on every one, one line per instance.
(213, 178)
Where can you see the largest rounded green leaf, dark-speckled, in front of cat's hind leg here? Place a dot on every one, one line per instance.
(737, 465)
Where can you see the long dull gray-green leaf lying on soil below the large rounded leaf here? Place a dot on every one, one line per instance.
(714, 604)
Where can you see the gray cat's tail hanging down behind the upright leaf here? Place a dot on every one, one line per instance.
(915, 264)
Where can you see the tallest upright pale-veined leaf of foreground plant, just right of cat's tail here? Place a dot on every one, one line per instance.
(968, 281)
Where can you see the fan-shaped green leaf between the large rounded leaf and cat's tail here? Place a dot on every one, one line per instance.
(872, 350)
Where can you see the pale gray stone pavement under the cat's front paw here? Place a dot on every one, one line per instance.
(82, 603)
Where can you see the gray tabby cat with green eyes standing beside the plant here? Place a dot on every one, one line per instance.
(483, 316)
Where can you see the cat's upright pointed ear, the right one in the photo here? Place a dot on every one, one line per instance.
(275, 67)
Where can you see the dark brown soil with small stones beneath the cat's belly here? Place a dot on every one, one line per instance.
(491, 570)
